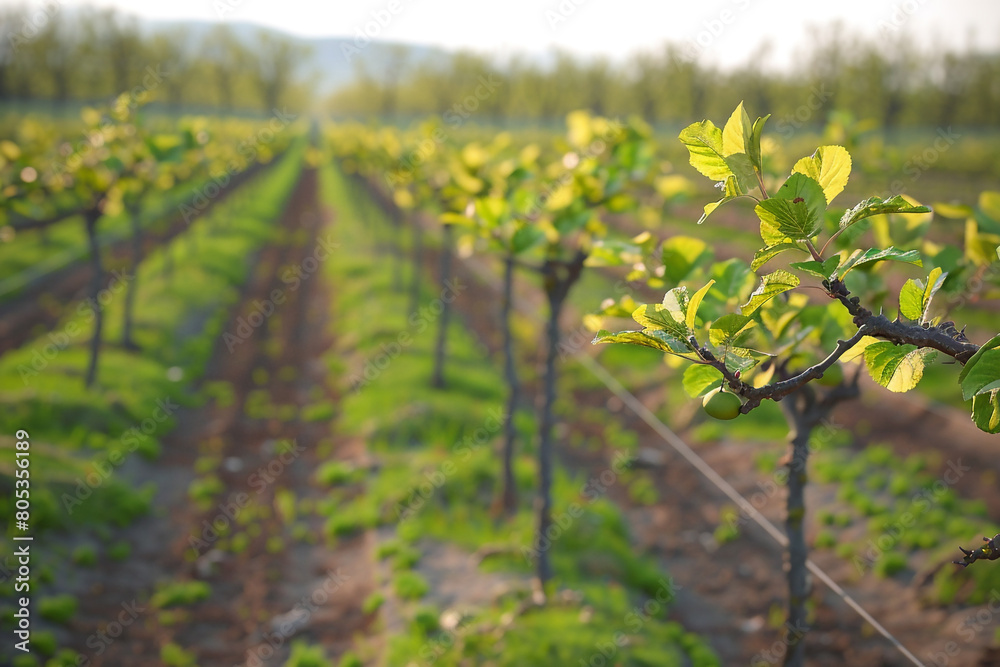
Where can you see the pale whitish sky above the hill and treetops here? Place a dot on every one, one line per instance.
(720, 30)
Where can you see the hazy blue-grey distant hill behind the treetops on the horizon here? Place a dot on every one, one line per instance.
(334, 62)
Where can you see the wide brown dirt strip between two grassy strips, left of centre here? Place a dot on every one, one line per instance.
(265, 595)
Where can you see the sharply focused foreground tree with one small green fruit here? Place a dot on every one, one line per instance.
(778, 344)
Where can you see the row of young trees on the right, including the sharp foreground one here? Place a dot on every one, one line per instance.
(546, 208)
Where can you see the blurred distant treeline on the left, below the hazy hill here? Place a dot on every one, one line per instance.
(86, 55)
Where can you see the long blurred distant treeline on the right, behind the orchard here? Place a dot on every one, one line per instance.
(888, 80)
